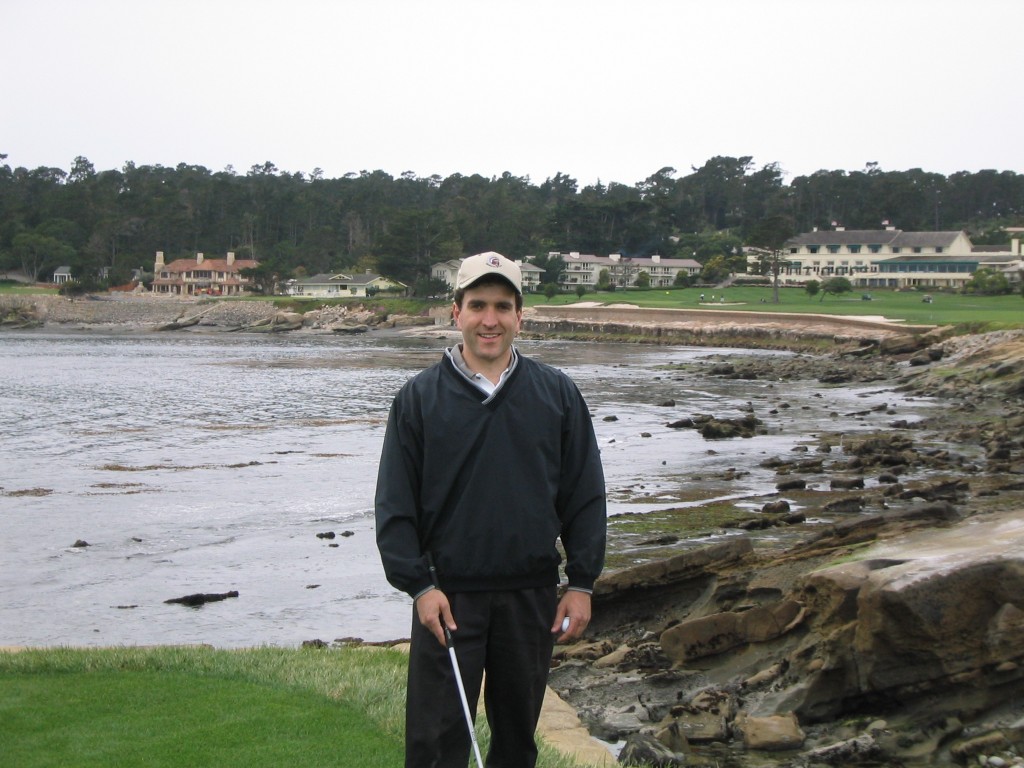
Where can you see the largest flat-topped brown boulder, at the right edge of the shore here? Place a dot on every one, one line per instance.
(936, 611)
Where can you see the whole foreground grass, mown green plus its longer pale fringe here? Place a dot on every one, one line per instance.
(200, 707)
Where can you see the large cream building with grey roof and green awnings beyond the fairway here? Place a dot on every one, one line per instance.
(890, 259)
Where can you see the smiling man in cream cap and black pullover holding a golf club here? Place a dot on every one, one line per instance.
(489, 458)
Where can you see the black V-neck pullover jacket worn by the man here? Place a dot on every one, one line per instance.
(488, 488)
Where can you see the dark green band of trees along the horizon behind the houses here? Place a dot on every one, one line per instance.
(113, 222)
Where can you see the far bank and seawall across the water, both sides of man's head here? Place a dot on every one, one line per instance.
(583, 322)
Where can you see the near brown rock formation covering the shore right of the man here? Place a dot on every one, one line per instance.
(891, 633)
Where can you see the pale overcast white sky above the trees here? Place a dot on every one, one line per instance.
(602, 92)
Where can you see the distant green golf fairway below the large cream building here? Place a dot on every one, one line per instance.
(970, 313)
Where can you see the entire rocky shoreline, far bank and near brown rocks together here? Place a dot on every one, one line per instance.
(888, 630)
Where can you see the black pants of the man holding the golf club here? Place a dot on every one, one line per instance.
(505, 634)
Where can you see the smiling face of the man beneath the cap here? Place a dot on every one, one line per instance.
(489, 322)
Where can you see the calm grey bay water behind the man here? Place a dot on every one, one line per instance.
(210, 462)
